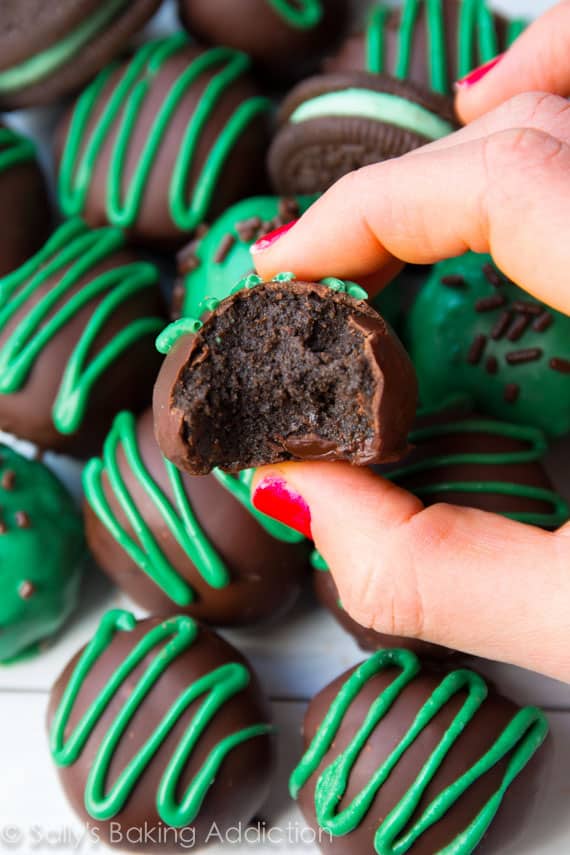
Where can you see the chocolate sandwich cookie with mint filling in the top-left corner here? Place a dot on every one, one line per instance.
(48, 50)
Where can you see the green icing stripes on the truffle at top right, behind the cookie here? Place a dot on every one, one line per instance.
(477, 41)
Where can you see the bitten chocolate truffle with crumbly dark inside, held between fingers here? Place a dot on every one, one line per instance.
(387, 404)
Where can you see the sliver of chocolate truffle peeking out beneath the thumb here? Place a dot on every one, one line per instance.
(367, 638)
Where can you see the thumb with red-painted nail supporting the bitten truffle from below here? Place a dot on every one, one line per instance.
(457, 577)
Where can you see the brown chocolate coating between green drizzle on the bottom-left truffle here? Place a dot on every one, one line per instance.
(242, 783)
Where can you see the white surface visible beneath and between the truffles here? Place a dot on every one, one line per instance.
(295, 659)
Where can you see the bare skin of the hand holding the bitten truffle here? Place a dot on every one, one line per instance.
(453, 576)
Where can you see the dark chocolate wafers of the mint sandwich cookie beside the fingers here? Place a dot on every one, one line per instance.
(309, 156)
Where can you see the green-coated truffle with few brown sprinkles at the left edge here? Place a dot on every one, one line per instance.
(41, 554)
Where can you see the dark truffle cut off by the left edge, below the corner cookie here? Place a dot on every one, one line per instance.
(24, 198)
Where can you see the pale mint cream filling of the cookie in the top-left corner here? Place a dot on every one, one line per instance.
(42, 64)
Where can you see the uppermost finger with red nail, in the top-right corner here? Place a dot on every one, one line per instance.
(537, 61)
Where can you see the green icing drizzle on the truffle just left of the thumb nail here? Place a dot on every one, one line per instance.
(145, 550)
